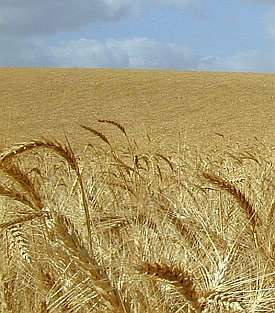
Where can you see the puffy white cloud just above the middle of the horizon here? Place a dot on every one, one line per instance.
(132, 53)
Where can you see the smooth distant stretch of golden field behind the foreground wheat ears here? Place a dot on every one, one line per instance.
(169, 106)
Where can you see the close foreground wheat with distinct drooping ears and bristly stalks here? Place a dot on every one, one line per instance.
(124, 230)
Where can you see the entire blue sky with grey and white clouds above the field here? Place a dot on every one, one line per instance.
(197, 35)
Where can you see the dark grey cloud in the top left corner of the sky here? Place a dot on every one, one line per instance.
(30, 17)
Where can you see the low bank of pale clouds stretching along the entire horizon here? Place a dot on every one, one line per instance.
(144, 53)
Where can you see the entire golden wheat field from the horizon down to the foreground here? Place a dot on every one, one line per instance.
(132, 192)
